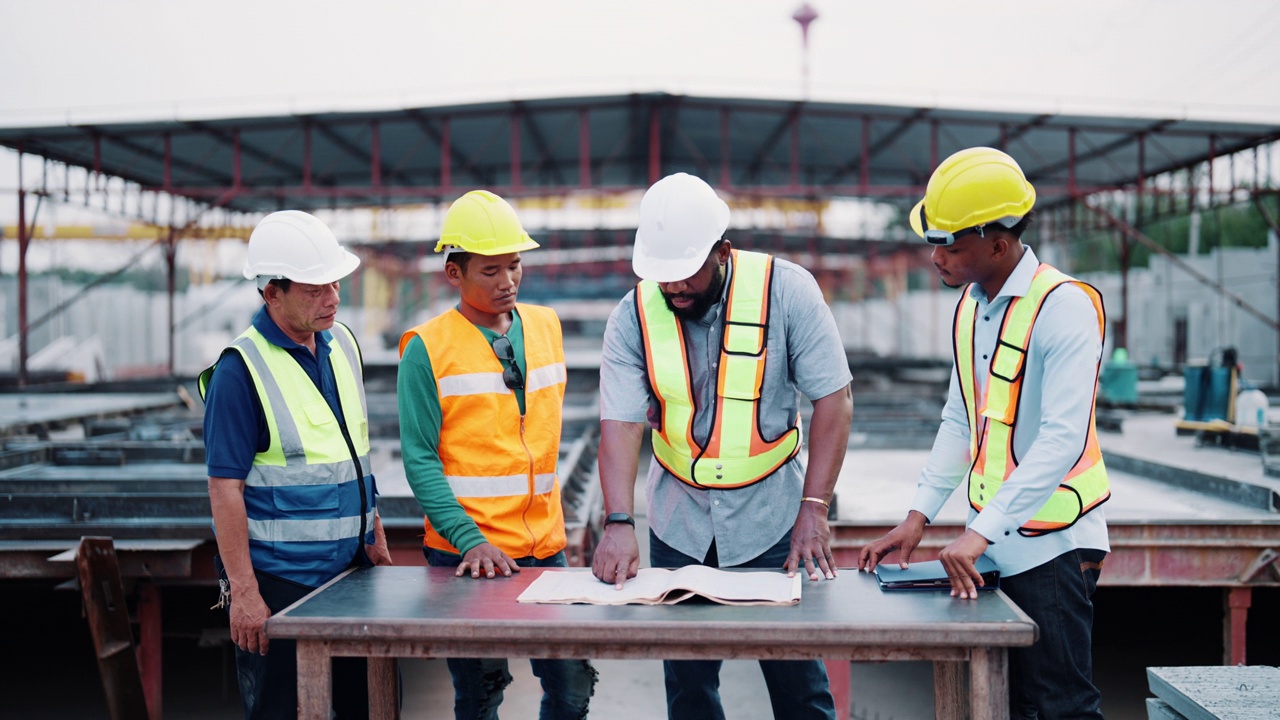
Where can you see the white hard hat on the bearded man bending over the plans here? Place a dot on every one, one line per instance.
(682, 220)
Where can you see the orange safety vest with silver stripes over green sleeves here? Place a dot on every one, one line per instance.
(500, 464)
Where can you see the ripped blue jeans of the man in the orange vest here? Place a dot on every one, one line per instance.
(478, 682)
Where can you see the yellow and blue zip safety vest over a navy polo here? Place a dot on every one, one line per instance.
(308, 496)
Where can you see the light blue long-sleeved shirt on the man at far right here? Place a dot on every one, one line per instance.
(1058, 398)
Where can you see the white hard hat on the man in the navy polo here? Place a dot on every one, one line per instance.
(296, 245)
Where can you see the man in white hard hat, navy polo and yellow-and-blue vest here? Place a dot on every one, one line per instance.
(287, 446)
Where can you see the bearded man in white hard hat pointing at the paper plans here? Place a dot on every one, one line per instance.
(711, 354)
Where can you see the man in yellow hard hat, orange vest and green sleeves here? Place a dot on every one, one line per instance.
(481, 393)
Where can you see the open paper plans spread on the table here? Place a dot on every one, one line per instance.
(661, 586)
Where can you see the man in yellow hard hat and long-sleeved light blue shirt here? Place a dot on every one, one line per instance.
(1018, 427)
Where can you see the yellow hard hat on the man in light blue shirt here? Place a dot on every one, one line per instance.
(970, 190)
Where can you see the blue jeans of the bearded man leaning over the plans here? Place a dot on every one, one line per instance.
(798, 689)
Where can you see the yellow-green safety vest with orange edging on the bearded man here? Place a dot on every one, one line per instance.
(735, 455)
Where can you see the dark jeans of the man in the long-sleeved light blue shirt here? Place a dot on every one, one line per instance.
(1054, 678)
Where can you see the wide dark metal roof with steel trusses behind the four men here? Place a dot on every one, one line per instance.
(619, 143)
